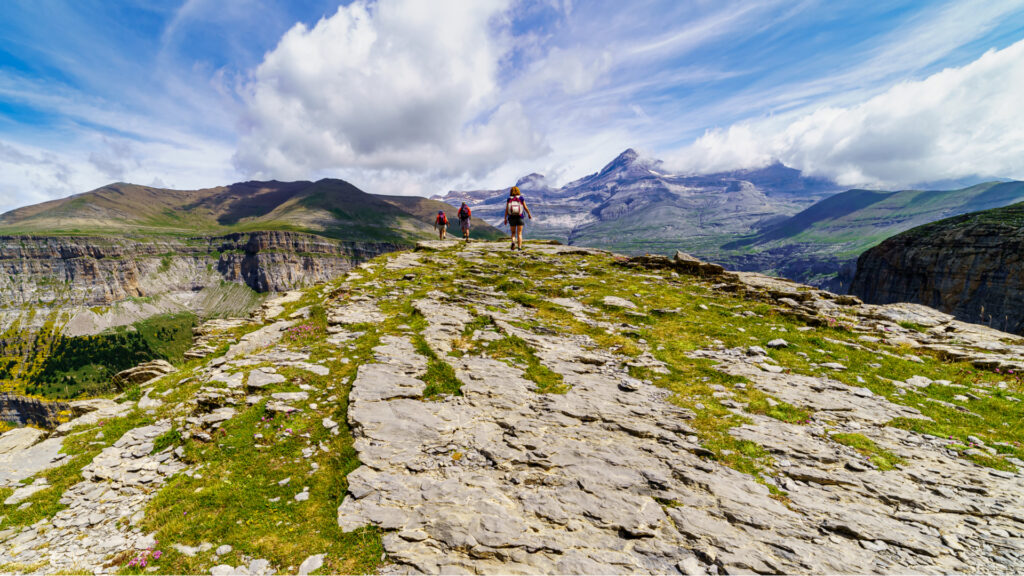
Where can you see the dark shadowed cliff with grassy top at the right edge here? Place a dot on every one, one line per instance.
(971, 267)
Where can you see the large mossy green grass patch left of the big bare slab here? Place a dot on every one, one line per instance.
(237, 498)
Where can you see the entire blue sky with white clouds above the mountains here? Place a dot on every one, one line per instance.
(417, 98)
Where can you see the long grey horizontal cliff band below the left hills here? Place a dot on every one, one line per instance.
(96, 271)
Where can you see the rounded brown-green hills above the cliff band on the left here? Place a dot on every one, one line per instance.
(331, 209)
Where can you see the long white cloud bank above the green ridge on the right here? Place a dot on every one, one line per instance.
(959, 122)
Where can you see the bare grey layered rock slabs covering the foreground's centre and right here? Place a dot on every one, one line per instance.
(609, 477)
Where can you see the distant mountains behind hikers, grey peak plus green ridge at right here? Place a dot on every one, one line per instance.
(773, 220)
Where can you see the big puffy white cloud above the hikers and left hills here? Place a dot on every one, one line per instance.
(389, 92)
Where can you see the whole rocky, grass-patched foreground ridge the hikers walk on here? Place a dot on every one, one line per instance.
(557, 410)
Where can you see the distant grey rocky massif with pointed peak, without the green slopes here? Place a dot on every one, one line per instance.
(632, 205)
